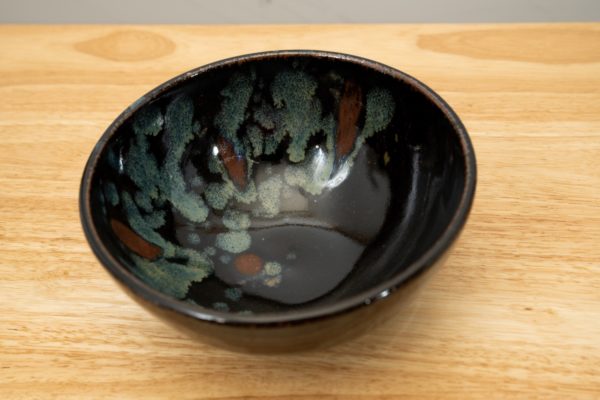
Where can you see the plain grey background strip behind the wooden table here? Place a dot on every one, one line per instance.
(295, 11)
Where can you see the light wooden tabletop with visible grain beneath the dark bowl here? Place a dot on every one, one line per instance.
(515, 312)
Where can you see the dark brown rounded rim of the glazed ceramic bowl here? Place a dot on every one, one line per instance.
(380, 292)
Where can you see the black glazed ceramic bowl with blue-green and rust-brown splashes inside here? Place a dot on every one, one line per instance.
(278, 201)
